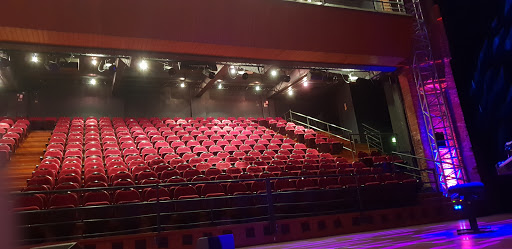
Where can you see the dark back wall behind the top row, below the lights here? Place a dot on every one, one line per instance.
(84, 100)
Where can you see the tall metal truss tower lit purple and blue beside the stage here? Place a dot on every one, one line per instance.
(432, 99)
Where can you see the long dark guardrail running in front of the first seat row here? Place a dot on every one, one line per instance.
(163, 214)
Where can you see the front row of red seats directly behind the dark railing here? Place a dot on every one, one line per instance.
(203, 189)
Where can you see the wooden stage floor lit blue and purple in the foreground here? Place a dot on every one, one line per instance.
(432, 236)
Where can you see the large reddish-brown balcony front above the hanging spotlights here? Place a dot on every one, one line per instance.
(259, 29)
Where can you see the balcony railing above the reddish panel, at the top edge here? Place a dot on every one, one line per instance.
(388, 6)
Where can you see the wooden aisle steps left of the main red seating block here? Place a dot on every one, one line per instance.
(26, 157)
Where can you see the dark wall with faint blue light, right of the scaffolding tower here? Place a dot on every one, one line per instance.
(480, 37)
